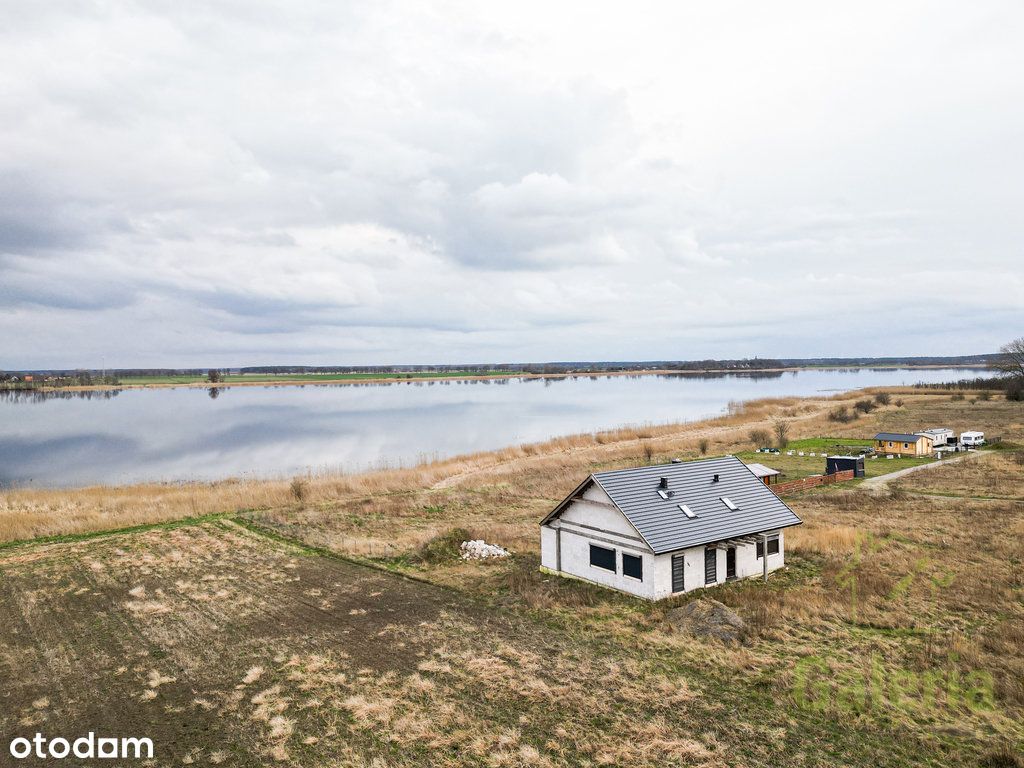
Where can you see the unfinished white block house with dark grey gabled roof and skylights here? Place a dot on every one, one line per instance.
(657, 532)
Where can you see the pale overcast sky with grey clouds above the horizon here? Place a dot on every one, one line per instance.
(239, 183)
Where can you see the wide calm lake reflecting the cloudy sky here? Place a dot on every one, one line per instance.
(70, 440)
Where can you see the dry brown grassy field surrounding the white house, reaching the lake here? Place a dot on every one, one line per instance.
(252, 637)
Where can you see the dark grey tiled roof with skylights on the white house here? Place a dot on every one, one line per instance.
(664, 526)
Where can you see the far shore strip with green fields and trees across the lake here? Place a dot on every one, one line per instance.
(399, 378)
